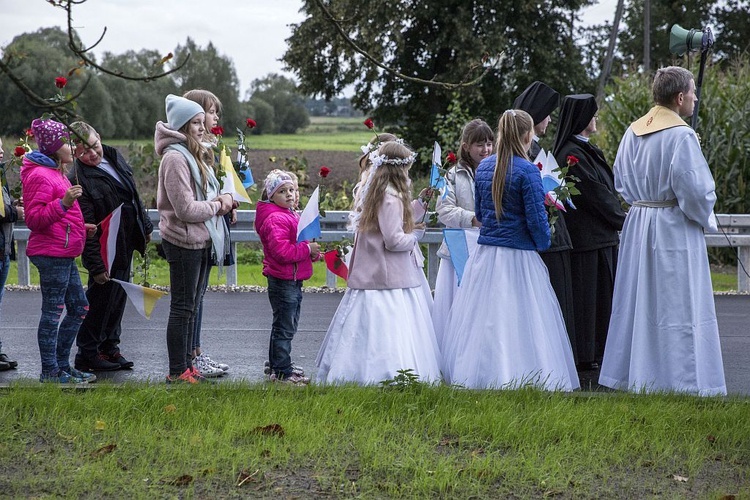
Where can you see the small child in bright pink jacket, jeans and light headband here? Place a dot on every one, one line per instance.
(286, 264)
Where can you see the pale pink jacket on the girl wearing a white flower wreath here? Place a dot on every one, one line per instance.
(384, 259)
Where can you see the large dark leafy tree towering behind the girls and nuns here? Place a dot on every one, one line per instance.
(448, 41)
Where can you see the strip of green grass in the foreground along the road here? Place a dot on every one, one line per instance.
(413, 442)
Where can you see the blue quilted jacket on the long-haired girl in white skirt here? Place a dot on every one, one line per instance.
(524, 223)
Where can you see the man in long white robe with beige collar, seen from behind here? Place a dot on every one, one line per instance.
(663, 334)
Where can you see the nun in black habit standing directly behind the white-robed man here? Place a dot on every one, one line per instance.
(593, 227)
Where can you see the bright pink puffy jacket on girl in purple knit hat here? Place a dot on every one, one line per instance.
(55, 232)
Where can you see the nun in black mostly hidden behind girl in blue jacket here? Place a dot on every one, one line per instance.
(539, 100)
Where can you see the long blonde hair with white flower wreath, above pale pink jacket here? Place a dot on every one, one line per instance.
(391, 163)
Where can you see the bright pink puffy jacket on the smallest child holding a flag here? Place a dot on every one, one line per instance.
(283, 257)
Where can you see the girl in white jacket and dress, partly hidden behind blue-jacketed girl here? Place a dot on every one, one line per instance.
(456, 210)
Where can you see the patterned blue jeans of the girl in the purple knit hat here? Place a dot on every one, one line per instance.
(61, 288)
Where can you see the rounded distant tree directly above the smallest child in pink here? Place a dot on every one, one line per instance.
(288, 105)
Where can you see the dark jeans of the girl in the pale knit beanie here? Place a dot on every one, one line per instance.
(187, 273)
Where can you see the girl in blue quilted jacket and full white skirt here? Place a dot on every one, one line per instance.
(505, 329)
